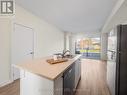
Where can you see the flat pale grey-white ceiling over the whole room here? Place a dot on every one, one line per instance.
(71, 15)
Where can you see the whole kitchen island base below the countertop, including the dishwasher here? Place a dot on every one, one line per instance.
(65, 84)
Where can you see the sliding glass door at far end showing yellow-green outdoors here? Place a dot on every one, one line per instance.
(88, 47)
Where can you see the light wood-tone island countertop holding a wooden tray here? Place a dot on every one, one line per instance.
(42, 68)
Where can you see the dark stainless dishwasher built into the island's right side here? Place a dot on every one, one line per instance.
(69, 81)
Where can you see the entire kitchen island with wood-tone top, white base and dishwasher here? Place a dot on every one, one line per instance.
(37, 77)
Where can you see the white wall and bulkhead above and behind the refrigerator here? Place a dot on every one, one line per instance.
(118, 16)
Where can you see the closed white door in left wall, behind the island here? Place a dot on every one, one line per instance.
(22, 46)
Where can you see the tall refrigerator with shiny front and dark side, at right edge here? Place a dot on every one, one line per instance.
(117, 61)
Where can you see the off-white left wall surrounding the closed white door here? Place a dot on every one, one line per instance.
(48, 39)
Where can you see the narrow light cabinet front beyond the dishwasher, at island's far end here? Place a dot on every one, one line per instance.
(77, 71)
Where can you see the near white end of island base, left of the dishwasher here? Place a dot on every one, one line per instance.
(32, 84)
